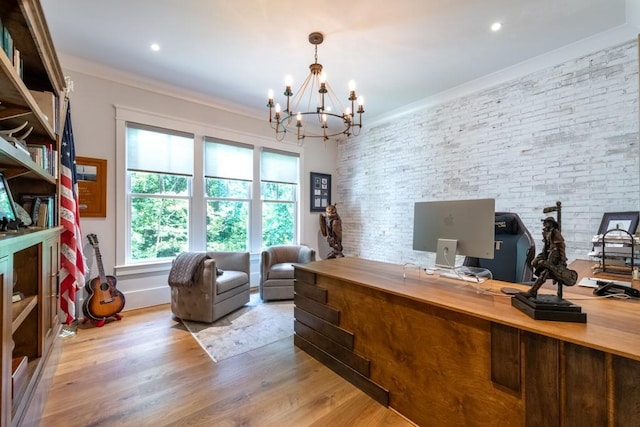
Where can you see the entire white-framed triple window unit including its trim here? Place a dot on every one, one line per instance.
(187, 186)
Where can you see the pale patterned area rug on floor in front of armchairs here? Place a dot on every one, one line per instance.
(256, 324)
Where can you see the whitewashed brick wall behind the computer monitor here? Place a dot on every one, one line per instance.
(567, 132)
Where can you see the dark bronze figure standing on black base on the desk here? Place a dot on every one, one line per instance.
(551, 263)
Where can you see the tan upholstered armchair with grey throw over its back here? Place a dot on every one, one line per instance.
(213, 296)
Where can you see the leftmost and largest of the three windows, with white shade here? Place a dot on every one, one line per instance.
(159, 179)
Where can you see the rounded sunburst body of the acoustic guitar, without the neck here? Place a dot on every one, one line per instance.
(104, 299)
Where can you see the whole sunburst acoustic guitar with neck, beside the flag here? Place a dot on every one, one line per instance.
(104, 299)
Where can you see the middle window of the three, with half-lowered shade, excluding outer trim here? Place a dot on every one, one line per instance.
(228, 183)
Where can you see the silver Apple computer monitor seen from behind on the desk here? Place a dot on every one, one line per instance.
(455, 227)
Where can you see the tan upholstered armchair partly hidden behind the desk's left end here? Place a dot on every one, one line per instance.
(276, 269)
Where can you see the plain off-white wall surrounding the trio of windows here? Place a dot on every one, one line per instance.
(94, 125)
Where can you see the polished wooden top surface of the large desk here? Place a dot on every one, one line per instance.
(613, 325)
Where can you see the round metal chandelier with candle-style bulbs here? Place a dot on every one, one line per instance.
(315, 111)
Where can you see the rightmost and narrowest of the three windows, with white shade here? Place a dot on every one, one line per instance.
(279, 191)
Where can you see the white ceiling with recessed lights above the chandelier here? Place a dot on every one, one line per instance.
(399, 52)
